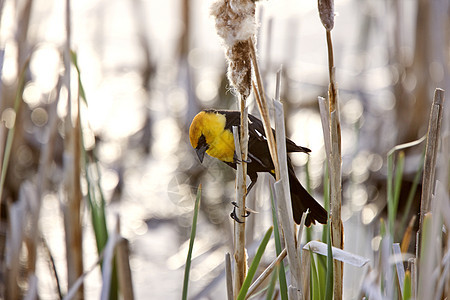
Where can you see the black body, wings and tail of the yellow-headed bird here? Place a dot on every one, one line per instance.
(259, 160)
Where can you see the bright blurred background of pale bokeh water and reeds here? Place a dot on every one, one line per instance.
(146, 68)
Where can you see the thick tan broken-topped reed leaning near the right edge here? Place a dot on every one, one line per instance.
(429, 169)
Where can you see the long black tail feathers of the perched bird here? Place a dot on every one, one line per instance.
(302, 200)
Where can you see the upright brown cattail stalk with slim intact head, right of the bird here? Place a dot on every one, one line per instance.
(326, 13)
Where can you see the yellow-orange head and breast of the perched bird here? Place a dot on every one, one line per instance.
(208, 134)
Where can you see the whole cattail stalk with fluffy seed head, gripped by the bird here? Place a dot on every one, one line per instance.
(235, 24)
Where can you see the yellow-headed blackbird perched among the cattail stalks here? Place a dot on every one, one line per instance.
(211, 132)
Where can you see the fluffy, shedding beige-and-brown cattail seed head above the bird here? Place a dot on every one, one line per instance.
(235, 24)
